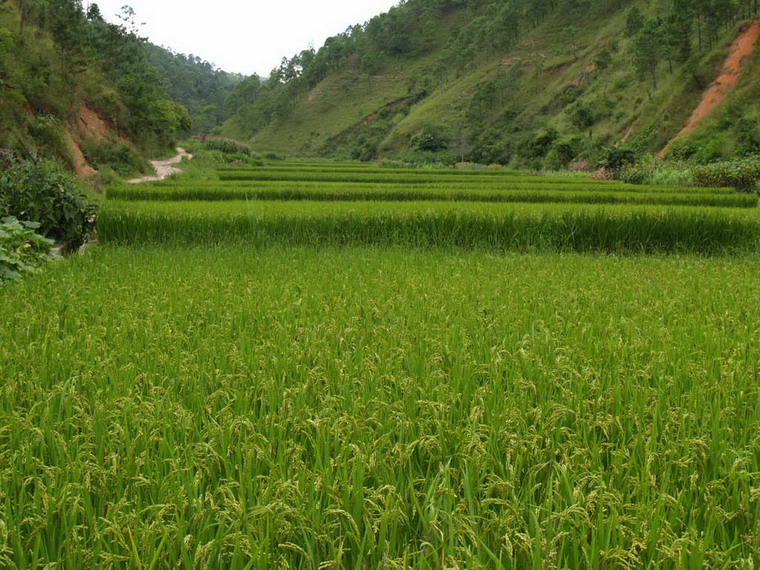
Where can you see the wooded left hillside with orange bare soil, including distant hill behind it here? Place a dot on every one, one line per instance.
(92, 94)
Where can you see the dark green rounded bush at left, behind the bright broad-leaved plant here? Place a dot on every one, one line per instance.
(44, 193)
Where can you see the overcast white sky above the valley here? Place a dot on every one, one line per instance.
(244, 36)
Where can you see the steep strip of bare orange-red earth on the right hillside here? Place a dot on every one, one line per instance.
(741, 48)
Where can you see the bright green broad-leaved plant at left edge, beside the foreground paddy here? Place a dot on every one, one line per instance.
(22, 250)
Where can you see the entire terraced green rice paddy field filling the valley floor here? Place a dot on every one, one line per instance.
(234, 381)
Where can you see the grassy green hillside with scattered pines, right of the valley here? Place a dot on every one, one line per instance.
(522, 82)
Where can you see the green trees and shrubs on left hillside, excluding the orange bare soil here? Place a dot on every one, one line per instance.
(61, 59)
